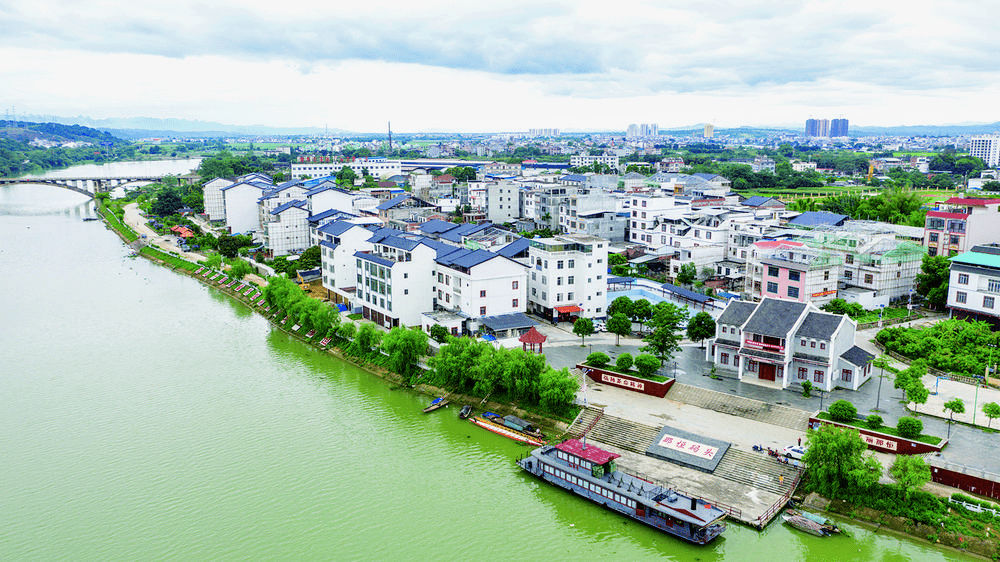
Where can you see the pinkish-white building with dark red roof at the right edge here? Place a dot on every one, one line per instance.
(961, 223)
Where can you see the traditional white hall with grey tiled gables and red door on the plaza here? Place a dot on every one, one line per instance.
(786, 342)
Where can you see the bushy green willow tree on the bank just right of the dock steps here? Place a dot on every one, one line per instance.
(836, 461)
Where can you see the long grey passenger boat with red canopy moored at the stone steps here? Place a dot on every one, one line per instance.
(590, 472)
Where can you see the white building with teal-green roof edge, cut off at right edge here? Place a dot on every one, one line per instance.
(974, 285)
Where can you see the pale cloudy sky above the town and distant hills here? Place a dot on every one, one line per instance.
(503, 65)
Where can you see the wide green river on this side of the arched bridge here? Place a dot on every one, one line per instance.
(147, 416)
